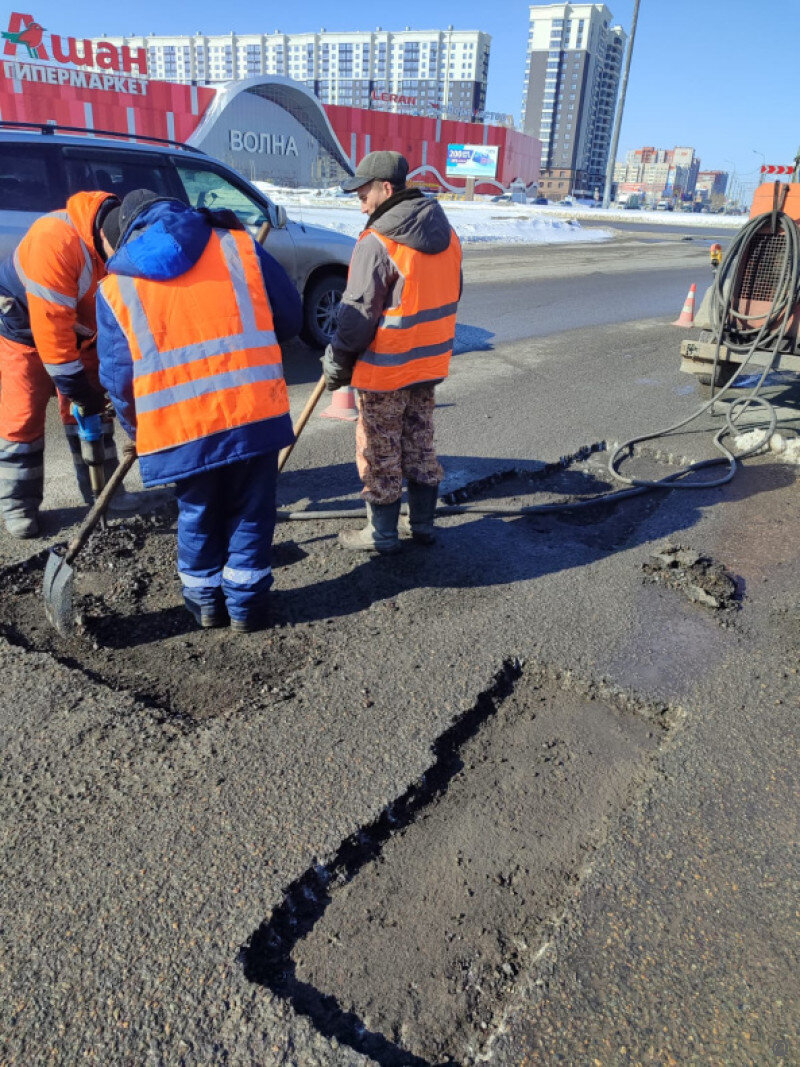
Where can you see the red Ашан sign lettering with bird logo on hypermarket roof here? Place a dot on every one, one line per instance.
(26, 36)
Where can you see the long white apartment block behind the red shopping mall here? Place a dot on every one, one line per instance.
(420, 71)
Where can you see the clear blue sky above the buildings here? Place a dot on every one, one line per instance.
(717, 75)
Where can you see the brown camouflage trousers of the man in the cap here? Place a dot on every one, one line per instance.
(394, 440)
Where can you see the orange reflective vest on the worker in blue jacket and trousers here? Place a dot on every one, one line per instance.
(204, 347)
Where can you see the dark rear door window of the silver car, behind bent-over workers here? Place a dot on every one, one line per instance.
(119, 172)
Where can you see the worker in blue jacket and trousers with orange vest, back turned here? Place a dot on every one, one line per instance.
(189, 322)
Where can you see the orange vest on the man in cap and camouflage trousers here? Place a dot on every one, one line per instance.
(413, 343)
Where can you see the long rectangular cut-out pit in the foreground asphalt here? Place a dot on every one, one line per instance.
(407, 945)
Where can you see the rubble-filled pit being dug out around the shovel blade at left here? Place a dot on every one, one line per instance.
(134, 633)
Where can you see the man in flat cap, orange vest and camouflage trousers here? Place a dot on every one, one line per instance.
(393, 343)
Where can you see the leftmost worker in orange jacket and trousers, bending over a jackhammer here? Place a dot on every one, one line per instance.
(47, 328)
